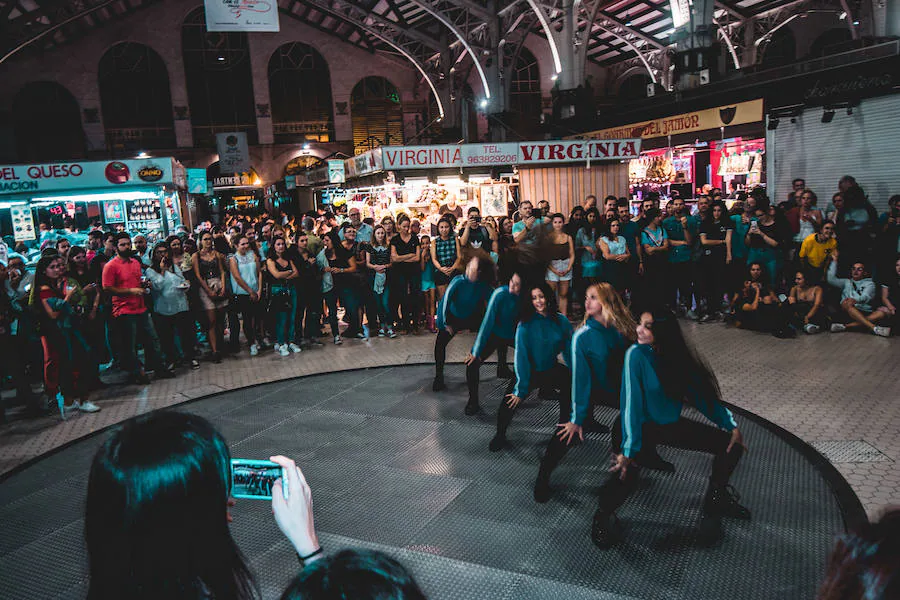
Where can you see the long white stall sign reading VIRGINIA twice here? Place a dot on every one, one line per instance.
(508, 153)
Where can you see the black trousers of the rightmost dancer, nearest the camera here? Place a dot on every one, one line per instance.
(685, 434)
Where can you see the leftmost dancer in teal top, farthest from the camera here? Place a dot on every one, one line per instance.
(461, 308)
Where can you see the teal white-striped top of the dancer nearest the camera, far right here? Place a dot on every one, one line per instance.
(643, 400)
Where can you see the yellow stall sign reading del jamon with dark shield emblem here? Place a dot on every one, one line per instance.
(701, 120)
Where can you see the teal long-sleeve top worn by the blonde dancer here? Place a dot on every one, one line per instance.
(597, 354)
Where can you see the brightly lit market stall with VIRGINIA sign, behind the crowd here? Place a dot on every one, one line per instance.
(432, 180)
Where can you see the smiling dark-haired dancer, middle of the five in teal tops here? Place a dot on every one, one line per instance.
(543, 334)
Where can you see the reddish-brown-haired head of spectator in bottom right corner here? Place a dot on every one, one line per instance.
(864, 564)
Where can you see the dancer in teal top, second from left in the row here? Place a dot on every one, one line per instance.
(498, 327)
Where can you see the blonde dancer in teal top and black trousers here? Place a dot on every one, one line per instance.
(598, 351)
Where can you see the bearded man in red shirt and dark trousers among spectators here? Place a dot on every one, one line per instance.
(122, 280)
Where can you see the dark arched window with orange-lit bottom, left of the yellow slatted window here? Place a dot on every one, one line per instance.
(300, 92)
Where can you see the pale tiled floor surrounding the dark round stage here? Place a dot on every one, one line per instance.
(839, 392)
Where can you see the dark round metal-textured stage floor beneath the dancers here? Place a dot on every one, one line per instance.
(397, 468)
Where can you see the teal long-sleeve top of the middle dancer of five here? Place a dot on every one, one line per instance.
(538, 341)
